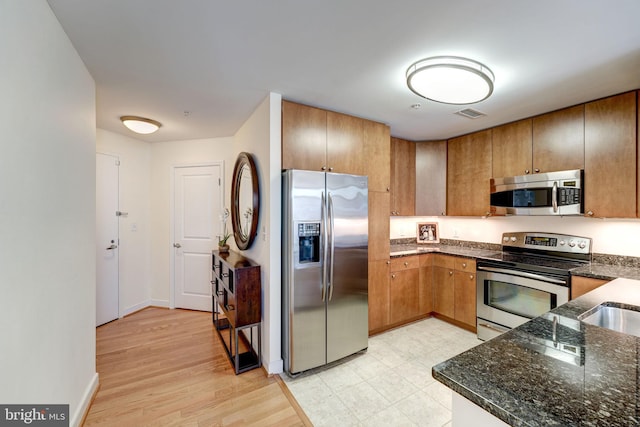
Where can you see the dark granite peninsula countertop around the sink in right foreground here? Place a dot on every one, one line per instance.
(588, 376)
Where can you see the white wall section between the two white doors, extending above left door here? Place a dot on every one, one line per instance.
(135, 227)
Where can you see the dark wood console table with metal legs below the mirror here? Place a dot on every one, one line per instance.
(237, 294)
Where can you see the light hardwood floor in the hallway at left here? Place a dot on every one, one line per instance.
(168, 367)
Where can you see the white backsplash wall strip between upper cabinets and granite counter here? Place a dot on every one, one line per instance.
(610, 236)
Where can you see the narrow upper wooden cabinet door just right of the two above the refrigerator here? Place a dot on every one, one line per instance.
(377, 153)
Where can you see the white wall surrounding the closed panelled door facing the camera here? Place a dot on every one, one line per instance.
(165, 155)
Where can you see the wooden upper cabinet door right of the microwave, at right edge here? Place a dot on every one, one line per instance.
(610, 157)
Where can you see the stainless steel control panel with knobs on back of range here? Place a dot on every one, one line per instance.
(547, 241)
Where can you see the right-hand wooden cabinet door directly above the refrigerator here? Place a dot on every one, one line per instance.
(345, 146)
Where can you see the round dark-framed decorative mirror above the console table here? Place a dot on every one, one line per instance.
(245, 200)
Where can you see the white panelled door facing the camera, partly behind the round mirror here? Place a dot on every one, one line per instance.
(197, 208)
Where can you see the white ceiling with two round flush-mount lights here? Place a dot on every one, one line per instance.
(219, 59)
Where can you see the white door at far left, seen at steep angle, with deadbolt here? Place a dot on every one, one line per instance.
(107, 294)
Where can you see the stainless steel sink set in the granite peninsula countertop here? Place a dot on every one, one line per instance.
(619, 317)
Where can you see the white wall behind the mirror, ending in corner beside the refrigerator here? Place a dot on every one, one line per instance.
(260, 136)
